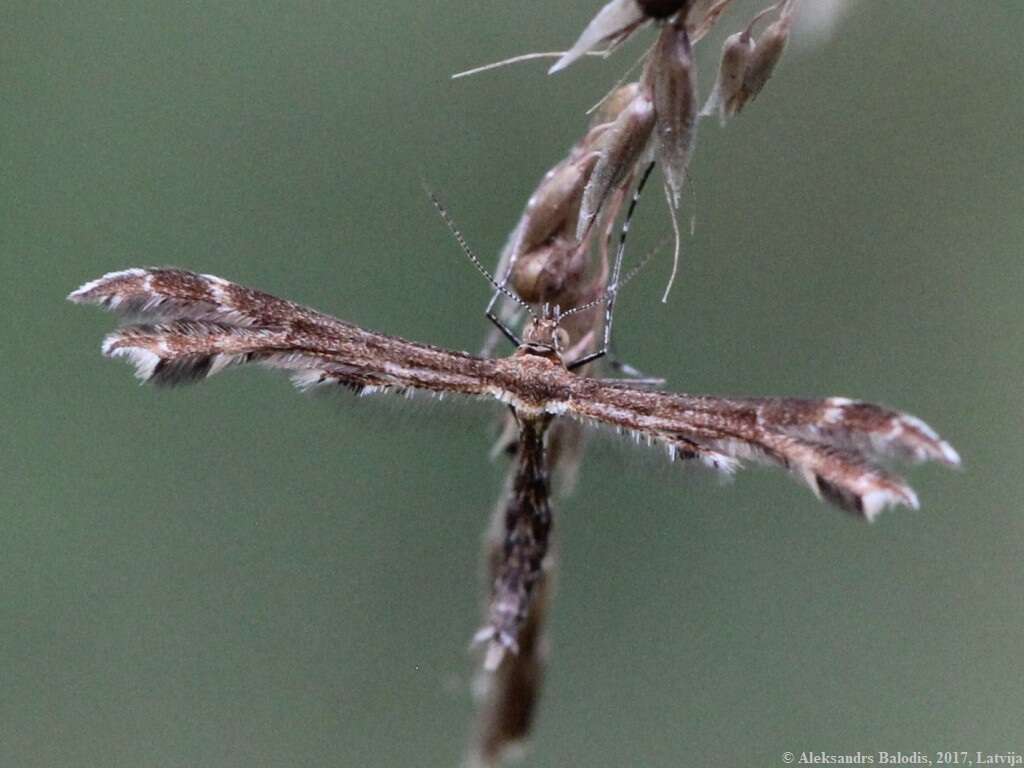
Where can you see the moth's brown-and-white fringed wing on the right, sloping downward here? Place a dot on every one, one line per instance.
(834, 445)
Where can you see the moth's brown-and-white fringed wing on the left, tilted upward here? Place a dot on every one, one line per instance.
(197, 325)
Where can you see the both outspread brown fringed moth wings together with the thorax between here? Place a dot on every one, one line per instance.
(204, 325)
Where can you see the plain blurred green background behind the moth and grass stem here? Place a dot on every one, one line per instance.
(234, 575)
